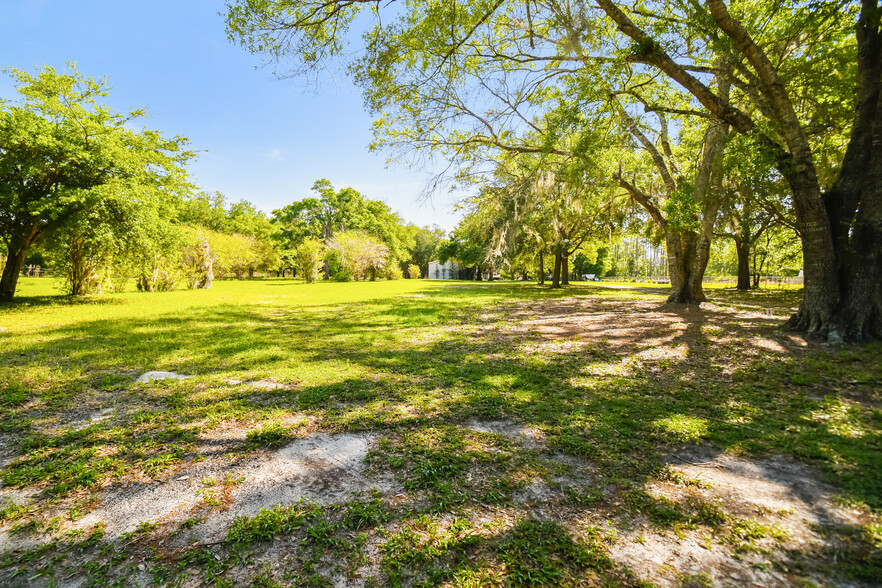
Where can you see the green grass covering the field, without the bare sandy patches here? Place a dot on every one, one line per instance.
(417, 361)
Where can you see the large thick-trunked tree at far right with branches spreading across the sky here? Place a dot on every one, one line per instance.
(463, 77)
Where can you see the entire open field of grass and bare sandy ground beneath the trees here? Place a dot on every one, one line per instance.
(415, 433)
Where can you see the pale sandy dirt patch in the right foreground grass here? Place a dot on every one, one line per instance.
(776, 492)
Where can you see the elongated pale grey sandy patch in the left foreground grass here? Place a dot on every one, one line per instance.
(322, 467)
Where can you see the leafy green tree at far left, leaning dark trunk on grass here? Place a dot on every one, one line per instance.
(58, 143)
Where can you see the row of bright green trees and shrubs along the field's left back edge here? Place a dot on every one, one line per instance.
(107, 206)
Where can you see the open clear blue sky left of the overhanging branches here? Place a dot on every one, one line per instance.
(260, 138)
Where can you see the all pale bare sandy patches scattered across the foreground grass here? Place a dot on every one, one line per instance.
(331, 469)
